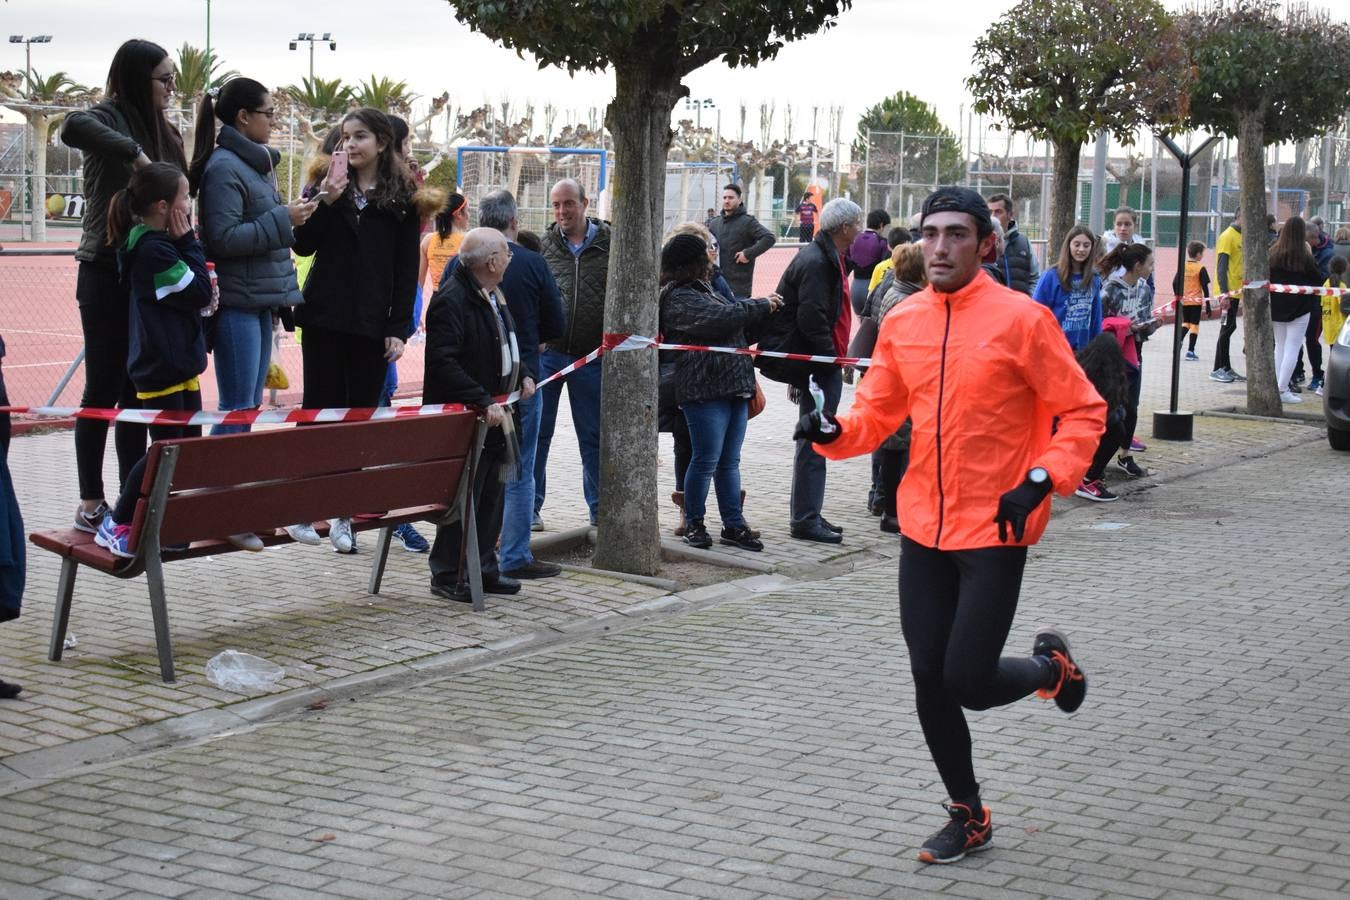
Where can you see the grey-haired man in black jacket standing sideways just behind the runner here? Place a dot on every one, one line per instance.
(816, 319)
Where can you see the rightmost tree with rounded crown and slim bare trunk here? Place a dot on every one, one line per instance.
(1264, 76)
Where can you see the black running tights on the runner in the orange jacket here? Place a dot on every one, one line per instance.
(956, 609)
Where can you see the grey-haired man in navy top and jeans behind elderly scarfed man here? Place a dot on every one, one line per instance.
(538, 310)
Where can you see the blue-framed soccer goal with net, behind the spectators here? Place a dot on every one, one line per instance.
(529, 173)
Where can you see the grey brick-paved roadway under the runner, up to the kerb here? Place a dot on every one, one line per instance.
(767, 747)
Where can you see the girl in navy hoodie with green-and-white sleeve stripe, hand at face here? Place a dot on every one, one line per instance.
(165, 269)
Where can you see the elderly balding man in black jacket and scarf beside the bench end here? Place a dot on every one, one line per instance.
(472, 358)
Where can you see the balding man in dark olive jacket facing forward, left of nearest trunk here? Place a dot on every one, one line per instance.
(577, 250)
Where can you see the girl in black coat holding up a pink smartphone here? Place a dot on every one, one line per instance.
(360, 293)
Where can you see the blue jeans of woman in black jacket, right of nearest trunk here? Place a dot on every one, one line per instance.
(716, 431)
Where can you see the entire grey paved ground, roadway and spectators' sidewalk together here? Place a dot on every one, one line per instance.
(597, 737)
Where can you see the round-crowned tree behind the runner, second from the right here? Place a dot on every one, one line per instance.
(1064, 69)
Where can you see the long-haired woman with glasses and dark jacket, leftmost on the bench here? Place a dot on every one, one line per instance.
(129, 130)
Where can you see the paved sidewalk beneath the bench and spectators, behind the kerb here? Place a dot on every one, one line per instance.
(307, 609)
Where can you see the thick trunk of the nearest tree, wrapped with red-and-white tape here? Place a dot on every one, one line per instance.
(639, 118)
